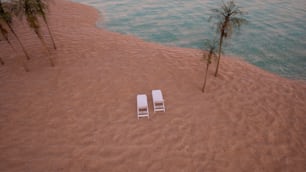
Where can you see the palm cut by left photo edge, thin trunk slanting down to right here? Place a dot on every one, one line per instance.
(6, 17)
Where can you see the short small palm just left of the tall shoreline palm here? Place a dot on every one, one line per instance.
(211, 47)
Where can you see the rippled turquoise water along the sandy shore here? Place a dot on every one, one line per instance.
(274, 39)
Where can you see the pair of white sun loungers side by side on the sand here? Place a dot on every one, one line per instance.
(142, 103)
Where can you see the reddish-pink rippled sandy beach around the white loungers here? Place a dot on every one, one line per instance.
(81, 114)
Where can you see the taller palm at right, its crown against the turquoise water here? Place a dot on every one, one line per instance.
(228, 18)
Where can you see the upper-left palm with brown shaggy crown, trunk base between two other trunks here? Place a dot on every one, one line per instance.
(30, 9)
